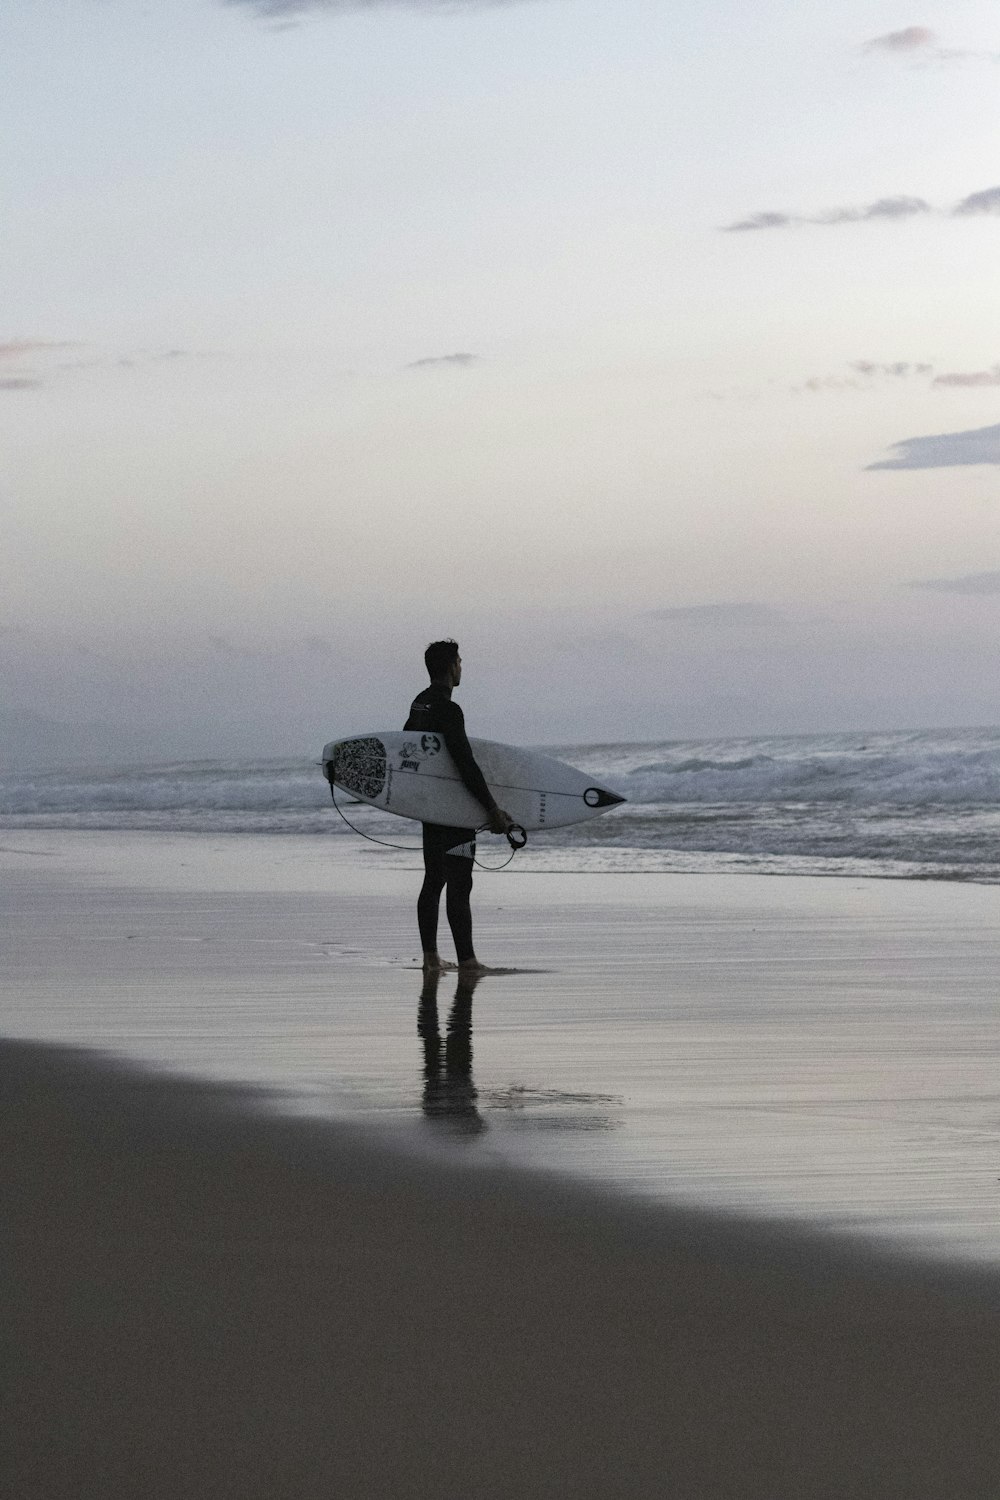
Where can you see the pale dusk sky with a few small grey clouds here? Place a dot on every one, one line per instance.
(651, 350)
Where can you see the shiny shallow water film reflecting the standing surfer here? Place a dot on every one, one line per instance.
(821, 1049)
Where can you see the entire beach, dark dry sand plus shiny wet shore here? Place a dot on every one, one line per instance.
(704, 1202)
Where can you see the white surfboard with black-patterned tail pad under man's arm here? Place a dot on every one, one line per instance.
(415, 776)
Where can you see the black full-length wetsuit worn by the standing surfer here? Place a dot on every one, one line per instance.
(449, 853)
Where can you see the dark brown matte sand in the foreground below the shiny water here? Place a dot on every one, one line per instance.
(206, 1300)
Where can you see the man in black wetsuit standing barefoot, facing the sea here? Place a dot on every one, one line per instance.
(449, 853)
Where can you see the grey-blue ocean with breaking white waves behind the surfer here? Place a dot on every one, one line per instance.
(921, 805)
